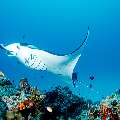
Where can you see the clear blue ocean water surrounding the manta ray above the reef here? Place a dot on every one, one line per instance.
(58, 26)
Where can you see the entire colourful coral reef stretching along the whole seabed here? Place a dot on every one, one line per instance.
(29, 103)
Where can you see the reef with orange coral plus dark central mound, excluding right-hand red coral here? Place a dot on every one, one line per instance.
(27, 102)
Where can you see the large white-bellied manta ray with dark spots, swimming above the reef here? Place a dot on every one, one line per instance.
(37, 59)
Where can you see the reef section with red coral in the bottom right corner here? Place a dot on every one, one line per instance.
(108, 109)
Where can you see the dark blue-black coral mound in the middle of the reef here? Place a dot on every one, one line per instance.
(64, 104)
